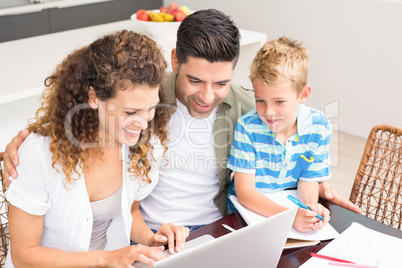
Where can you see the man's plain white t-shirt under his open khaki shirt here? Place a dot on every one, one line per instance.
(188, 184)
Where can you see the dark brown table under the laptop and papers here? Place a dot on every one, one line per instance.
(341, 219)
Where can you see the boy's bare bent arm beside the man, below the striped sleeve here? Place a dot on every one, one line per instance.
(252, 199)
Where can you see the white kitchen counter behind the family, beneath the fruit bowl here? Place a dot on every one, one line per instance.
(25, 63)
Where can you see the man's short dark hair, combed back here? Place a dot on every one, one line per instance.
(208, 34)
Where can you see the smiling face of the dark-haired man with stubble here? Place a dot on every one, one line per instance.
(201, 85)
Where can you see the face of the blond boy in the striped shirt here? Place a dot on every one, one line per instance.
(277, 106)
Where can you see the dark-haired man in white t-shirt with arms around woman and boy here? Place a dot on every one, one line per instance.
(194, 182)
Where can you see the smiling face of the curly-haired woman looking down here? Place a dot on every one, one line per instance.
(123, 117)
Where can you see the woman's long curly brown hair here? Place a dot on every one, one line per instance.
(106, 64)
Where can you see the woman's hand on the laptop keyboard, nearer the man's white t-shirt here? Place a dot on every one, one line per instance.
(172, 233)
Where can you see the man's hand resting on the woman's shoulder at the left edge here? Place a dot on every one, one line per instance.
(11, 156)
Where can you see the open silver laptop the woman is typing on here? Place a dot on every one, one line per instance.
(257, 245)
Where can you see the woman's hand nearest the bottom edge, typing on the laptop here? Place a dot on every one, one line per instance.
(124, 257)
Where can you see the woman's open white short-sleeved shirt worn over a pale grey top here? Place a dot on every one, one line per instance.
(39, 190)
